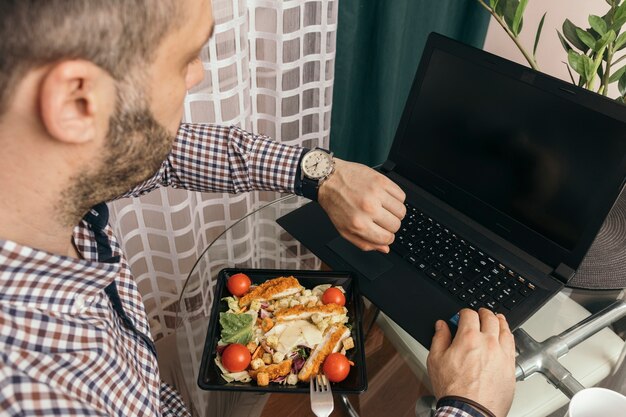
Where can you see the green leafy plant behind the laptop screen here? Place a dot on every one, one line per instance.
(591, 52)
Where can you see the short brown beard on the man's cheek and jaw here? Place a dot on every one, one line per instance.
(135, 148)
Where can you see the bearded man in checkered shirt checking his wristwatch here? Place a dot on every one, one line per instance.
(91, 97)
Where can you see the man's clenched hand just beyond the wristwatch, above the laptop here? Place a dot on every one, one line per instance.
(364, 205)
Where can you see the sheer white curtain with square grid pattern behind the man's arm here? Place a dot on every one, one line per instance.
(269, 69)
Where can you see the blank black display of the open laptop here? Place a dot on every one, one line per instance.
(534, 156)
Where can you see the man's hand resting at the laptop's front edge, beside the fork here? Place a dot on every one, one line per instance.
(479, 364)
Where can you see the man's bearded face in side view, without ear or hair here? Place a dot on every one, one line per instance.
(147, 115)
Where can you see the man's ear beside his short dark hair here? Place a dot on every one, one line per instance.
(76, 100)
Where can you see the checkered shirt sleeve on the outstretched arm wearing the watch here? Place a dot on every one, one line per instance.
(224, 159)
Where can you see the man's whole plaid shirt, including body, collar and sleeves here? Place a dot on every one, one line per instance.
(74, 335)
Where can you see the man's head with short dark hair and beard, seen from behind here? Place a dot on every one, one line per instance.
(95, 87)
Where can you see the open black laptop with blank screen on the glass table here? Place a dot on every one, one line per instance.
(509, 174)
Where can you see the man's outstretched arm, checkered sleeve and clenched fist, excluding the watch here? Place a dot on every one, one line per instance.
(365, 206)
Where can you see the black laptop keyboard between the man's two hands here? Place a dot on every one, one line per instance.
(475, 278)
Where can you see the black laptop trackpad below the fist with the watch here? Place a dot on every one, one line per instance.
(369, 264)
